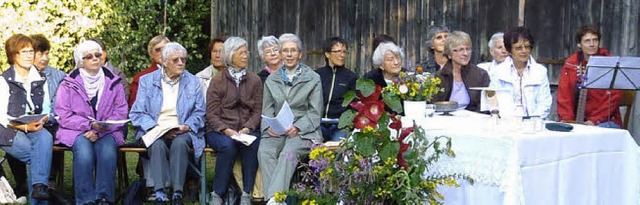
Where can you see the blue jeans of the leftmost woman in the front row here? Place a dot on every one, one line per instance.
(34, 149)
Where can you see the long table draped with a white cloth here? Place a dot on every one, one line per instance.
(588, 165)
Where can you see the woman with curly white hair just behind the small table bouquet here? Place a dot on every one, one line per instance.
(388, 58)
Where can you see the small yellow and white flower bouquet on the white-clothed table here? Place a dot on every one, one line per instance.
(416, 86)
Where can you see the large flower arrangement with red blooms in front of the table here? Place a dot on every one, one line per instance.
(380, 163)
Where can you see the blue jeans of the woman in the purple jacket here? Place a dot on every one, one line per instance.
(94, 159)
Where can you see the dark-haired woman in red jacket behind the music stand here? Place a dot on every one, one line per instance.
(601, 107)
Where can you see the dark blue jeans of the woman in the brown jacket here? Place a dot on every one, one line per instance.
(226, 151)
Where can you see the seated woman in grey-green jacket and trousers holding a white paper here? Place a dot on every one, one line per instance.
(299, 86)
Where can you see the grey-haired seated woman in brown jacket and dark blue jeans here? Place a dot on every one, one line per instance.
(234, 106)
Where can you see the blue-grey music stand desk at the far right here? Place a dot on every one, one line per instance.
(613, 72)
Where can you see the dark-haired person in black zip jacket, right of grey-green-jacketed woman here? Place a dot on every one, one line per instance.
(336, 81)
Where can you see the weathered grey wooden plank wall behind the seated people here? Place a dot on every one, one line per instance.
(553, 23)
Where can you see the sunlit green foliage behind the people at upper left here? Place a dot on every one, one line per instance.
(125, 25)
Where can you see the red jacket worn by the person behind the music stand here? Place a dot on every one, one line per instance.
(602, 105)
